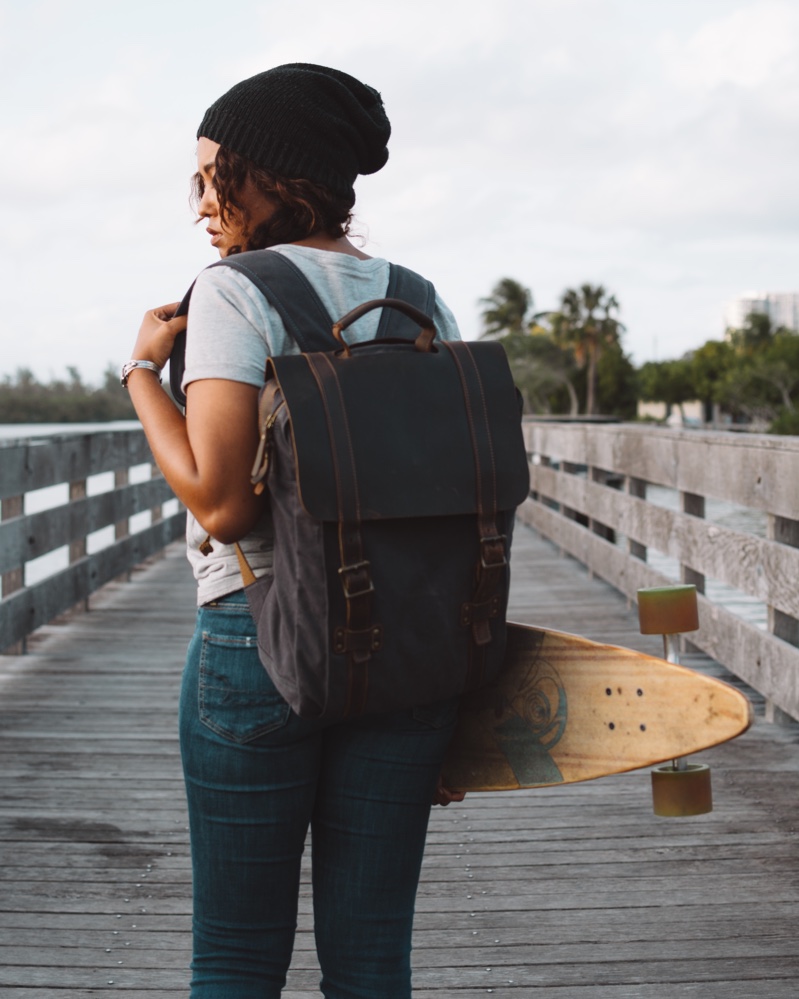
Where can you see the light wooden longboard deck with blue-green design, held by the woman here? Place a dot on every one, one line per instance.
(567, 709)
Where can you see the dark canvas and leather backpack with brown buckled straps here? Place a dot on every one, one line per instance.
(393, 469)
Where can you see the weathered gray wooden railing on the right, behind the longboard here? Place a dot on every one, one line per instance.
(589, 487)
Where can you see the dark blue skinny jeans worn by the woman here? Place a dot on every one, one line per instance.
(257, 776)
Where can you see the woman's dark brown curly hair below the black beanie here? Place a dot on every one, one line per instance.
(304, 208)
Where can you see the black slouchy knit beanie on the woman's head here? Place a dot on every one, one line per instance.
(301, 120)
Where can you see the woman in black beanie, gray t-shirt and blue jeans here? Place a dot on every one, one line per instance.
(277, 157)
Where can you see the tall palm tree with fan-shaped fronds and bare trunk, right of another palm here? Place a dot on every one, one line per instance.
(585, 323)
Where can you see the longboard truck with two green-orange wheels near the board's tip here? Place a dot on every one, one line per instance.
(679, 788)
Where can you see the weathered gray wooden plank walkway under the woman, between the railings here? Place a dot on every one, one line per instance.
(572, 893)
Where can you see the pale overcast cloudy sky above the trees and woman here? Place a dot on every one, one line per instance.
(648, 145)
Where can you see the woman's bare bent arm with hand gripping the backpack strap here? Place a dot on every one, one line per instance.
(205, 457)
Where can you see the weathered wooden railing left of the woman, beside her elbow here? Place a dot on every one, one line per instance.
(69, 461)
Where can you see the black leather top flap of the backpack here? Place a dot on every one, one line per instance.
(409, 430)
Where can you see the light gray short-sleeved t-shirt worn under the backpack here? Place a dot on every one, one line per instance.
(232, 330)
